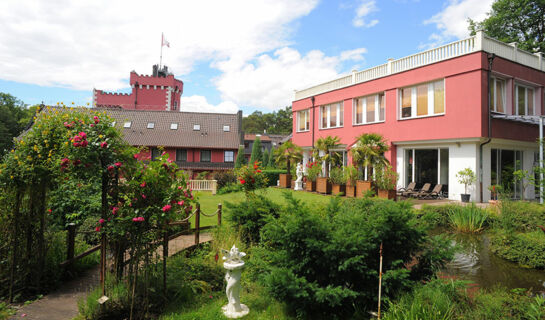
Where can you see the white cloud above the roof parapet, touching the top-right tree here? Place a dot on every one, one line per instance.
(451, 22)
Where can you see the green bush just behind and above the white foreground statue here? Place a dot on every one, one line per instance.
(250, 215)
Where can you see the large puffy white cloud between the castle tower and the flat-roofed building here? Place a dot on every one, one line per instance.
(269, 82)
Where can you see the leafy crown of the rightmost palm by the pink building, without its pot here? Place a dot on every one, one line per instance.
(369, 151)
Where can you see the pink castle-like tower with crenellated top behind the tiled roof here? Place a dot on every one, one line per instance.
(160, 91)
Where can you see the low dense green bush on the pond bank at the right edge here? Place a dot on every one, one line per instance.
(527, 249)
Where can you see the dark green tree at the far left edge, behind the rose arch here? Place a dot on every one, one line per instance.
(13, 118)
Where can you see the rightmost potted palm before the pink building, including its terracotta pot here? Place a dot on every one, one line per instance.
(369, 153)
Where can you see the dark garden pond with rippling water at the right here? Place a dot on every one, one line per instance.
(475, 262)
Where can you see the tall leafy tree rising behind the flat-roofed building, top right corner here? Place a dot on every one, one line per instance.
(521, 21)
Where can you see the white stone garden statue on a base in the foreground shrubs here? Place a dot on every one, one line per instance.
(234, 264)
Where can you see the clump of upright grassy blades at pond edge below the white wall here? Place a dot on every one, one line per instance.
(468, 218)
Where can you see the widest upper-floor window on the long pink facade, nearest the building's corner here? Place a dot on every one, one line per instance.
(423, 100)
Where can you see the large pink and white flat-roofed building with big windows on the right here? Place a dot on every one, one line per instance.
(433, 108)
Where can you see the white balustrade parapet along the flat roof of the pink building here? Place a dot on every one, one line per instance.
(479, 42)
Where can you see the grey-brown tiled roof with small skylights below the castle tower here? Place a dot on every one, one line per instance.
(210, 135)
